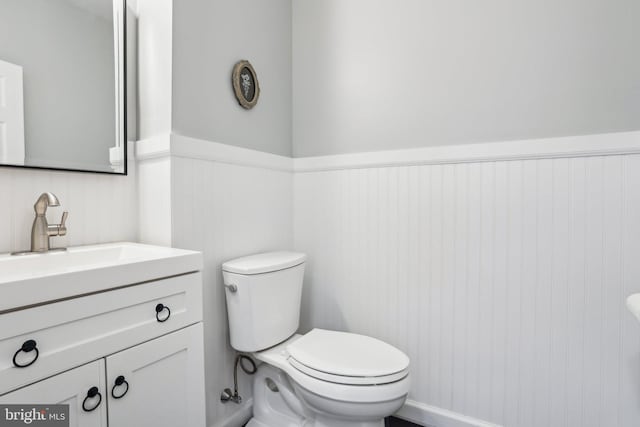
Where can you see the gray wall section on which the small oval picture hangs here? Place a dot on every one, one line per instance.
(209, 37)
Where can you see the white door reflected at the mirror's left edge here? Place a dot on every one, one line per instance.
(11, 114)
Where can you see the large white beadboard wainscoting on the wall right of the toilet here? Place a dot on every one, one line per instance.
(504, 280)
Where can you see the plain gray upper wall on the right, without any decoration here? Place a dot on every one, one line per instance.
(381, 74)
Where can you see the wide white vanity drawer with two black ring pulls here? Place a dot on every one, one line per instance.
(69, 333)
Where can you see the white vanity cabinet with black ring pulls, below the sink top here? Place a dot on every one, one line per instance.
(140, 346)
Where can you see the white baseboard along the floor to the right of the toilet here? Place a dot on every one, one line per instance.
(432, 416)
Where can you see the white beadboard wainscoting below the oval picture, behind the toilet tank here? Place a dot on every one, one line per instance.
(226, 202)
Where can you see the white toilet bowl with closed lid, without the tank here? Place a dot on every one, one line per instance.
(334, 398)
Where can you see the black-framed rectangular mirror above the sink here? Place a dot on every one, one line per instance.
(62, 85)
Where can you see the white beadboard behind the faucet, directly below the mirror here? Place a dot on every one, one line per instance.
(102, 208)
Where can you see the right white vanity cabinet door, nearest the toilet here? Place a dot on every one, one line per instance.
(159, 383)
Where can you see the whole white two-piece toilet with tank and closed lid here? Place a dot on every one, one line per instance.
(320, 379)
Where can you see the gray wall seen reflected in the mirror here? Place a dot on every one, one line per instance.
(69, 118)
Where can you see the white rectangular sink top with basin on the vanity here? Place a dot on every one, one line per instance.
(32, 279)
